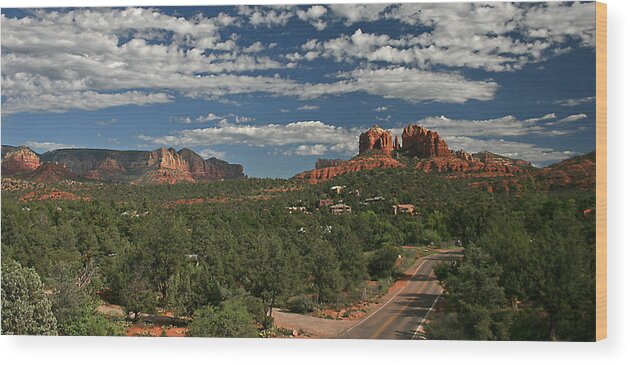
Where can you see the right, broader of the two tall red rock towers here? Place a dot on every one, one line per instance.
(423, 143)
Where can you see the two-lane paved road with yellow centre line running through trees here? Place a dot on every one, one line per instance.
(402, 313)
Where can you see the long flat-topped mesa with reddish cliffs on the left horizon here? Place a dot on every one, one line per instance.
(160, 166)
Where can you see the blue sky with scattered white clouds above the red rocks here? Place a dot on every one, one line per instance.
(275, 88)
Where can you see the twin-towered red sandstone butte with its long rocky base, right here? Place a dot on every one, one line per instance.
(430, 153)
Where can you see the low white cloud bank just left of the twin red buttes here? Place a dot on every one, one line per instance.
(338, 139)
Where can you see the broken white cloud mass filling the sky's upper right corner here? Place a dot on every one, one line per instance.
(493, 36)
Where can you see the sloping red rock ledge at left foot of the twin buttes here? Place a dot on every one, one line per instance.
(361, 162)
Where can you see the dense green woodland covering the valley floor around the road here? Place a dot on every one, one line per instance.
(235, 254)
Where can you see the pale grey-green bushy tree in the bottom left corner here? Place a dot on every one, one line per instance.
(26, 309)
